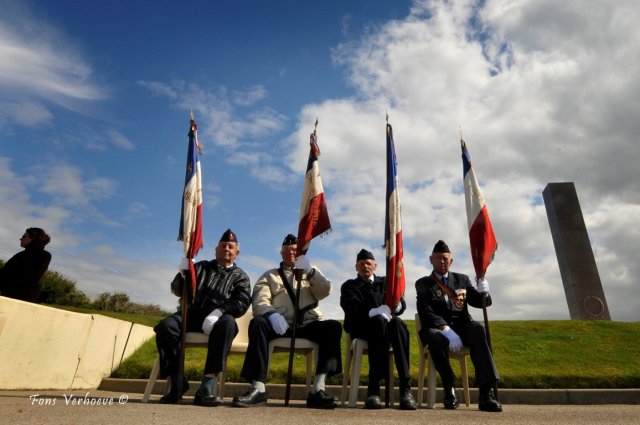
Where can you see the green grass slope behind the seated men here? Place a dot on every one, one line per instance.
(528, 354)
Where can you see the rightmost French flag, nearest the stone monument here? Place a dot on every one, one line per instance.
(481, 237)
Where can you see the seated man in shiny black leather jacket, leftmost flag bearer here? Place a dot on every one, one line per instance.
(223, 294)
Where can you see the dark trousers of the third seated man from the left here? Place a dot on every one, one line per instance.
(379, 335)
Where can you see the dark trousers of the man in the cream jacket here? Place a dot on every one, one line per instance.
(327, 333)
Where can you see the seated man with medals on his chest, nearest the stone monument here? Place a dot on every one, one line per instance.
(443, 300)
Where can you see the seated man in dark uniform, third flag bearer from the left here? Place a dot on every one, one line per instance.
(368, 318)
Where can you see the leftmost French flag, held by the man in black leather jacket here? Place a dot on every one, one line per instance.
(191, 216)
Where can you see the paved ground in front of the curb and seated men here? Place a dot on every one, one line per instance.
(105, 407)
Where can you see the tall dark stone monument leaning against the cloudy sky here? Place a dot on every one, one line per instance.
(578, 269)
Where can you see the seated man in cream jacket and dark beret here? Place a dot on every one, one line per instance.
(273, 310)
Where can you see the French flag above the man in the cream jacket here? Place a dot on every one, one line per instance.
(314, 217)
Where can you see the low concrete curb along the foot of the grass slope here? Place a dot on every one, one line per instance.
(505, 395)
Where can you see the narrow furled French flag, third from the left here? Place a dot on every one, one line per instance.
(393, 229)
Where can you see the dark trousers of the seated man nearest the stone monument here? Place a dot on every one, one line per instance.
(473, 336)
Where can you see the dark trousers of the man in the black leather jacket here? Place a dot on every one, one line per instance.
(168, 333)
